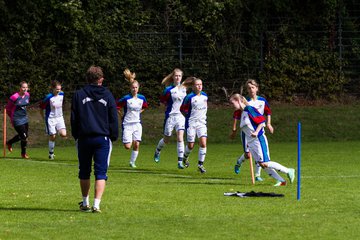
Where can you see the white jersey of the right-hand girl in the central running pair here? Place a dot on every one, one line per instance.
(194, 107)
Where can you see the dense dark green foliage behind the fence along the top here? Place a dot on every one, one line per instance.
(223, 42)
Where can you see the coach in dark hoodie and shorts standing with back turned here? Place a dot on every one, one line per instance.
(94, 125)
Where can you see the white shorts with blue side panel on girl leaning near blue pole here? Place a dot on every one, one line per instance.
(259, 148)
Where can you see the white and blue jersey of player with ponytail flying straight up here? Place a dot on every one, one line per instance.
(132, 108)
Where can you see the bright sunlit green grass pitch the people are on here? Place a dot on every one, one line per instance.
(158, 201)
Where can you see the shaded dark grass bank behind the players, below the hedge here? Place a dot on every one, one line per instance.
(319, 124)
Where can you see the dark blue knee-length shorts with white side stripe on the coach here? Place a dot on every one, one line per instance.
(97, 149)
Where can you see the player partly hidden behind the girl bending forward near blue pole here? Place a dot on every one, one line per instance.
(263, 107)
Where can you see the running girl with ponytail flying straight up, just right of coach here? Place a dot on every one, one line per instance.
(133, 105)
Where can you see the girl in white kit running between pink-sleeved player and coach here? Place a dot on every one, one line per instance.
(54, 119)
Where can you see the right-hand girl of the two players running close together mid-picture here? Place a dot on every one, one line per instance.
(194, 108)
